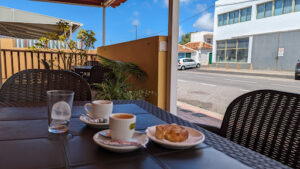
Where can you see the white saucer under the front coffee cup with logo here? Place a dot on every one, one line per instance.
(106, 142)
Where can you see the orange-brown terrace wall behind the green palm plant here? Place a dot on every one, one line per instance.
(150, 56)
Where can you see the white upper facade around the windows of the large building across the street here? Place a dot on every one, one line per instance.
(280, 23)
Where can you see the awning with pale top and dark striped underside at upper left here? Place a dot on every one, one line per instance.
(27, 25)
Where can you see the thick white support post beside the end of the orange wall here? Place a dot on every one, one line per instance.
(173, 32)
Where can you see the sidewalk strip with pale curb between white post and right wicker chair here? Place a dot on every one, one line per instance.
(194, 114)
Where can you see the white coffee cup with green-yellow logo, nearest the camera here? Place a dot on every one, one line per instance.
(122, 126)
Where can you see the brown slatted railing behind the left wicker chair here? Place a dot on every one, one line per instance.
(15, 60)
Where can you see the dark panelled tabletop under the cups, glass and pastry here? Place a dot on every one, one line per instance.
(26, 143)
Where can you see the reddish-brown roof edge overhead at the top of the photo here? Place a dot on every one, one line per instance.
(97, 3)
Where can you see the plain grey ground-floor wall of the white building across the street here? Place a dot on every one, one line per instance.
(265, 51)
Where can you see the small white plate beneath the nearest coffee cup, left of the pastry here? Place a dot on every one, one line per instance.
(137, 136)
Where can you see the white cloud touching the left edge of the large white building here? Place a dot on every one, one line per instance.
(206, 21)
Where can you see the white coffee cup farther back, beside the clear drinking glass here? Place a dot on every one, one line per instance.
(99, 108)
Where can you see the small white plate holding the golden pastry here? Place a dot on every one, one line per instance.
(195, 138)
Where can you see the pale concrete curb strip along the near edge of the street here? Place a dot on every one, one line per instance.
(195, 109)
